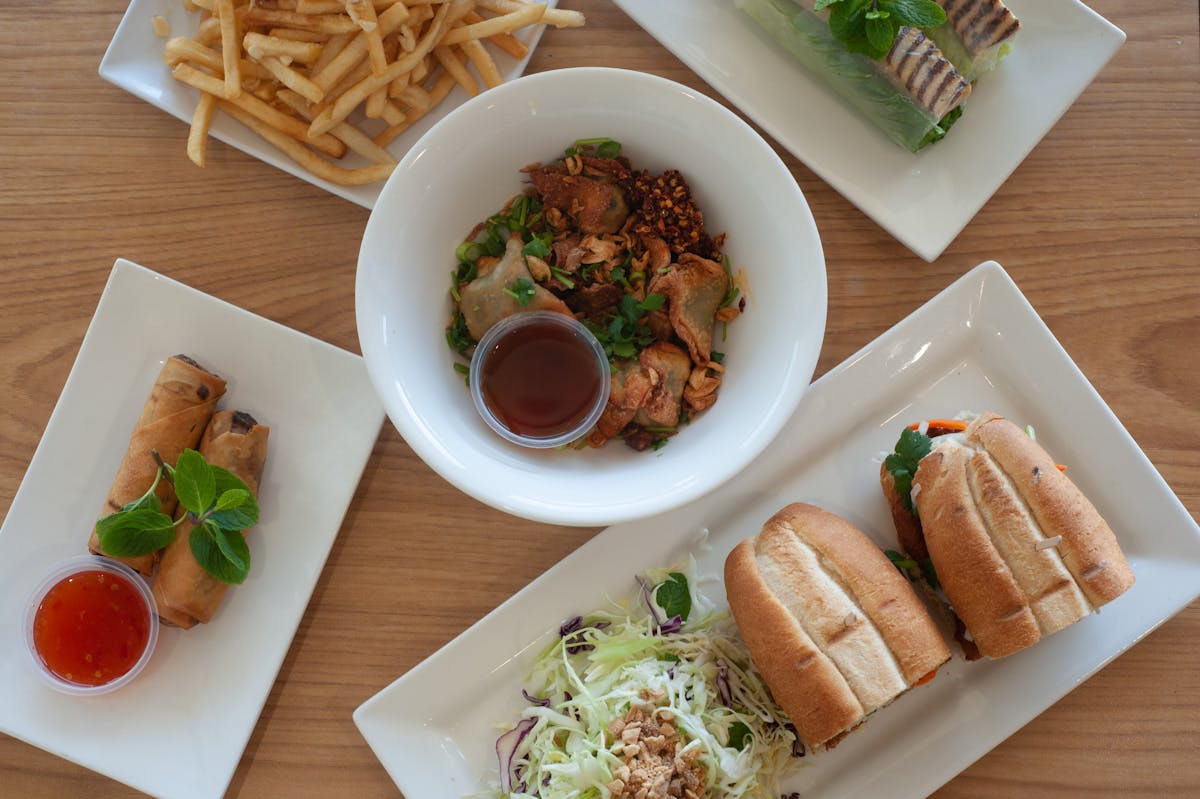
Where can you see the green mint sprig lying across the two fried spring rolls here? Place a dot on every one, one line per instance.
(219, 504)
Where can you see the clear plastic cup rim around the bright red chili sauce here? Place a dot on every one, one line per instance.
(57, 574)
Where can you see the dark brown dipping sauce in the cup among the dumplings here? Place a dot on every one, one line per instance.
(541, 380)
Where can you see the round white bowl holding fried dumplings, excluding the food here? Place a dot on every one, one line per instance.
(465, 170)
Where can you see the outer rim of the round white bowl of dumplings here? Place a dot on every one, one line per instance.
(421, 438)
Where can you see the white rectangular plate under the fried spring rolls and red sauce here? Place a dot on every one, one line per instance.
(179, 730)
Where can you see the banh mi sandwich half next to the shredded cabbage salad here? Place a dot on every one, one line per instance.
(833, 628)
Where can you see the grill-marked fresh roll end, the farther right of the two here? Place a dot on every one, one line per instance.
(977, 35)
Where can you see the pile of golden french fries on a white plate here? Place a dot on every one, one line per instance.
(309, 76)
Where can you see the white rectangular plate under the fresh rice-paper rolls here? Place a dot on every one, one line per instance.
(923, 200)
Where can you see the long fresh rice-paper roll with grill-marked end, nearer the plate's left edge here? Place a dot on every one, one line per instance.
(913, 95)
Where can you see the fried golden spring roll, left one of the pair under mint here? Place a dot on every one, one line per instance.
(173, 419)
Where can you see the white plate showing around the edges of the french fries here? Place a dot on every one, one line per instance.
(134, 62)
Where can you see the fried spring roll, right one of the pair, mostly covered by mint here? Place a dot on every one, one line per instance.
(185, 593)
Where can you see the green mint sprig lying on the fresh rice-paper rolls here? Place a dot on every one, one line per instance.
(871, 27)
